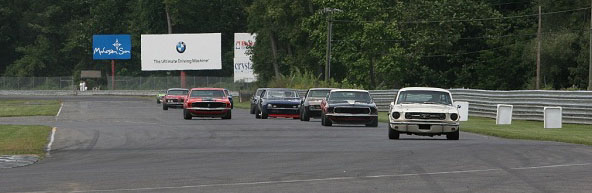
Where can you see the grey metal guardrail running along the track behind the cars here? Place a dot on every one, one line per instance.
(528, 104)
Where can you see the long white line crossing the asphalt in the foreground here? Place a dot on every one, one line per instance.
(325, 179)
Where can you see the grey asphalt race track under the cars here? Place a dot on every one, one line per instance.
(129, 144)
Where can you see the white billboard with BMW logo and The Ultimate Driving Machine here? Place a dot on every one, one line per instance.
(181, 51)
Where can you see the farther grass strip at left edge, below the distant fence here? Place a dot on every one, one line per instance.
(15, 108)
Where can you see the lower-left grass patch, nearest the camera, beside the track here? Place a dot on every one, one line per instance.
(23, 139)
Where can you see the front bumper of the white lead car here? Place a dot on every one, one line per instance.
(425, 127)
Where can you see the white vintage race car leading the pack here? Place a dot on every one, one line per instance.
(423, 111)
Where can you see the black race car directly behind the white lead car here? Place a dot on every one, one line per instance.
(349, 106)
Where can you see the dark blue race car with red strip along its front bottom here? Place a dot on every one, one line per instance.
(278, 102)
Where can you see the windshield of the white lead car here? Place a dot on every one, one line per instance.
(424, 97)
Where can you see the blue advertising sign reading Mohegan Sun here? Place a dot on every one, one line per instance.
(112, 47)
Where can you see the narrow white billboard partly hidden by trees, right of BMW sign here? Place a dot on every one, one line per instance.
(243, 67)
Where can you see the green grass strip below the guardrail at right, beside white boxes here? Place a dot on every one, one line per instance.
(529, 130)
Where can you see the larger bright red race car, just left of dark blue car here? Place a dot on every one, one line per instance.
(207, 102)
